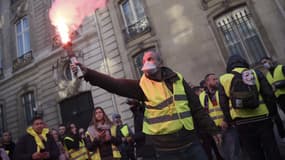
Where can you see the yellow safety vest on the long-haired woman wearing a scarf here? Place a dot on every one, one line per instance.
(115, 150)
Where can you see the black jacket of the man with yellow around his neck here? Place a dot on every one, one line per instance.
(26, 146)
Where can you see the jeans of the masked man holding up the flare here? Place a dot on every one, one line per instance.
(194, 151)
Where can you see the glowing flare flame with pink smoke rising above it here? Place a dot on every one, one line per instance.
(67, 16)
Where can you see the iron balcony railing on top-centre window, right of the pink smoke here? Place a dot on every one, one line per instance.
(140, 27)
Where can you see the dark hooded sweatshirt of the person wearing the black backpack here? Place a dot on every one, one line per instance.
(266, 91)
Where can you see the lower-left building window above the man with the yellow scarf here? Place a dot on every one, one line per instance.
(28, 102)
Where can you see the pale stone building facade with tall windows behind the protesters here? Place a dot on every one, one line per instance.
(194, 37)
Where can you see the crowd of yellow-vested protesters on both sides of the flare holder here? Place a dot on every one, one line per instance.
(111, 139)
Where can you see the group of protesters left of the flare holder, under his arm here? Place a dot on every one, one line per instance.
(104, 139)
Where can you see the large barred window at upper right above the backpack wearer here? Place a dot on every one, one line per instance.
(240, 35)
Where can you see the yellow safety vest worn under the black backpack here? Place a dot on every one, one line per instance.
(225, 81)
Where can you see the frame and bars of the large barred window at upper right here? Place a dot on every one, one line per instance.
(234, 25)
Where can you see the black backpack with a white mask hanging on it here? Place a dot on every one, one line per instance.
(243, 95)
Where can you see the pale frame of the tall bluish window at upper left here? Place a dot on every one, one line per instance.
(22, 34)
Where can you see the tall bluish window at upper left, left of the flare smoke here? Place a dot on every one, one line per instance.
(23, 36)
